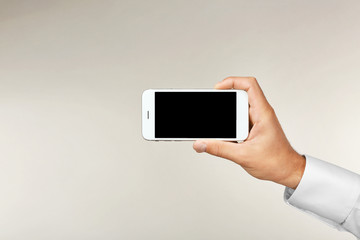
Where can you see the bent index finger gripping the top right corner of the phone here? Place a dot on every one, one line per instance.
(249, 84)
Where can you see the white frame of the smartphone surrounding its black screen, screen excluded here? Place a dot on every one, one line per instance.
(148, 114)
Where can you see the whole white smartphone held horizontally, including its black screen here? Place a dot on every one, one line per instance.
(190, 114)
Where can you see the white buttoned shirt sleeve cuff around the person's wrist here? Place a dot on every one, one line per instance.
(330, 193)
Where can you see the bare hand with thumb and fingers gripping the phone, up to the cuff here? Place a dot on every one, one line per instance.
(266, 154)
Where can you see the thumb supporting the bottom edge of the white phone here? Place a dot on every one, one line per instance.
(228, 150)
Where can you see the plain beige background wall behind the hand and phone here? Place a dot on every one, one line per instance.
(73, 164)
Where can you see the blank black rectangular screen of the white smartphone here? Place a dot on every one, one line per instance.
(195, 114)
